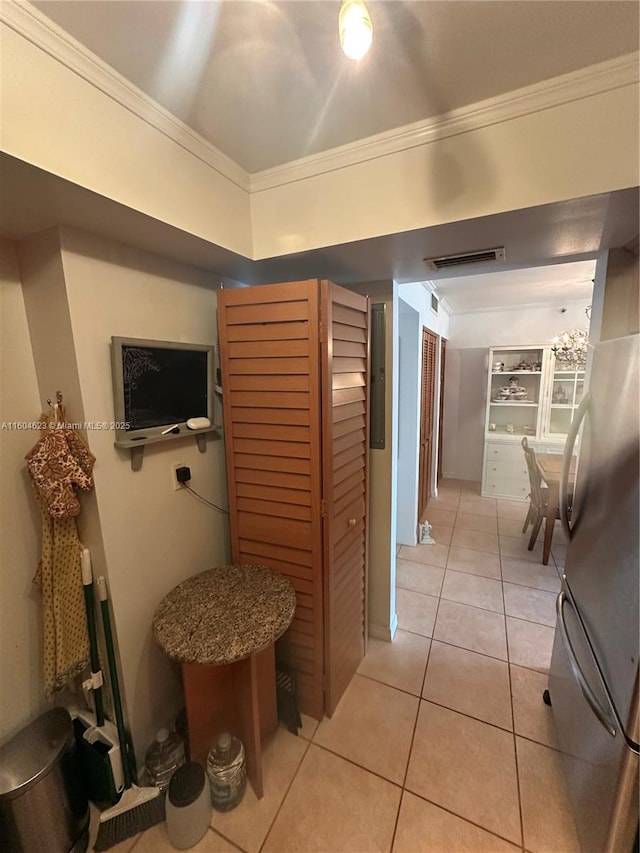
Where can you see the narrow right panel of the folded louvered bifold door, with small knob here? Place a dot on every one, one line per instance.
(345, 436)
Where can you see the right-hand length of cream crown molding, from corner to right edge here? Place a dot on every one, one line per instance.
(576, 85)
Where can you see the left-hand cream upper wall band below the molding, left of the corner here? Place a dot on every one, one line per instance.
(58, 121)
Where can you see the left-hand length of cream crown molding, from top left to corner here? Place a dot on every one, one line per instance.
(42, 32)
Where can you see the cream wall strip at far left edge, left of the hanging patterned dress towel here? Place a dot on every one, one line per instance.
(21, 677)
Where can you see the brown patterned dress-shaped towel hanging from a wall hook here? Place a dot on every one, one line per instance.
(60, 462)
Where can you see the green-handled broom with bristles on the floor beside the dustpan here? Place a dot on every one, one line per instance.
(138, 808)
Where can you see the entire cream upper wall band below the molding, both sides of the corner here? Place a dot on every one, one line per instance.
(76, 130)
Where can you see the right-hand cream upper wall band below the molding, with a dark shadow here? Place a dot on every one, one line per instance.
(543, 157)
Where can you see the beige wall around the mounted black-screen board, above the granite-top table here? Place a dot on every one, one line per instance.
(144, 536)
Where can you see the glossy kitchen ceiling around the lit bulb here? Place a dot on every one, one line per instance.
(267, 83)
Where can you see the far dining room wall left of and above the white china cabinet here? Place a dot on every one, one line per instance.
(471, 335)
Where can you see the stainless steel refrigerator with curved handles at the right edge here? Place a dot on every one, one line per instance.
(593, 681)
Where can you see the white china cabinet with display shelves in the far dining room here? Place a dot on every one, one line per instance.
(522, 383)
